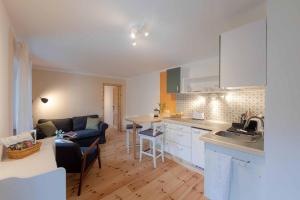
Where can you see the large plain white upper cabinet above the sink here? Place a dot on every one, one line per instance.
(243, 56)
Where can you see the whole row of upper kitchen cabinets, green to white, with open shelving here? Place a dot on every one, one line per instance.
(241, 64)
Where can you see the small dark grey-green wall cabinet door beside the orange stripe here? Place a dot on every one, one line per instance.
(173, 80)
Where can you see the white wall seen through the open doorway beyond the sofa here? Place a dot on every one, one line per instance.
(108, 105)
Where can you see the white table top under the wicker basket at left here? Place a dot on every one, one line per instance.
(40, 162)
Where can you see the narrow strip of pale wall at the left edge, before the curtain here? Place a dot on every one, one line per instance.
(5, 75)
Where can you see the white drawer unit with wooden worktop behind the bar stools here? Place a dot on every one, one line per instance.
(182, 138)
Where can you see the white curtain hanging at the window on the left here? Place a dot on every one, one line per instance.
(22, 89)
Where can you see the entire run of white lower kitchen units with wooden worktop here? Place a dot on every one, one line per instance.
(192, 141)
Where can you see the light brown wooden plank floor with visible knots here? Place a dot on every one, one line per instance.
(123, 178)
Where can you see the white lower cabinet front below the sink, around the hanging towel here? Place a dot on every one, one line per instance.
(246, 178)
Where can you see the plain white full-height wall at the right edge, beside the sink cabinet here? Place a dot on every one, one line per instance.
(282, 131)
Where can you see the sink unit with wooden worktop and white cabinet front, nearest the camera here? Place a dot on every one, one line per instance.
(246, 170)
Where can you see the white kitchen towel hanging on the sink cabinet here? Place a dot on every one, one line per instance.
(217, 175)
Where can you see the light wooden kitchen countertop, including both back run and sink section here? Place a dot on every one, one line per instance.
(256, 148)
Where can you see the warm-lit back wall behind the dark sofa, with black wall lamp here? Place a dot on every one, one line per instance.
(69, 94)
